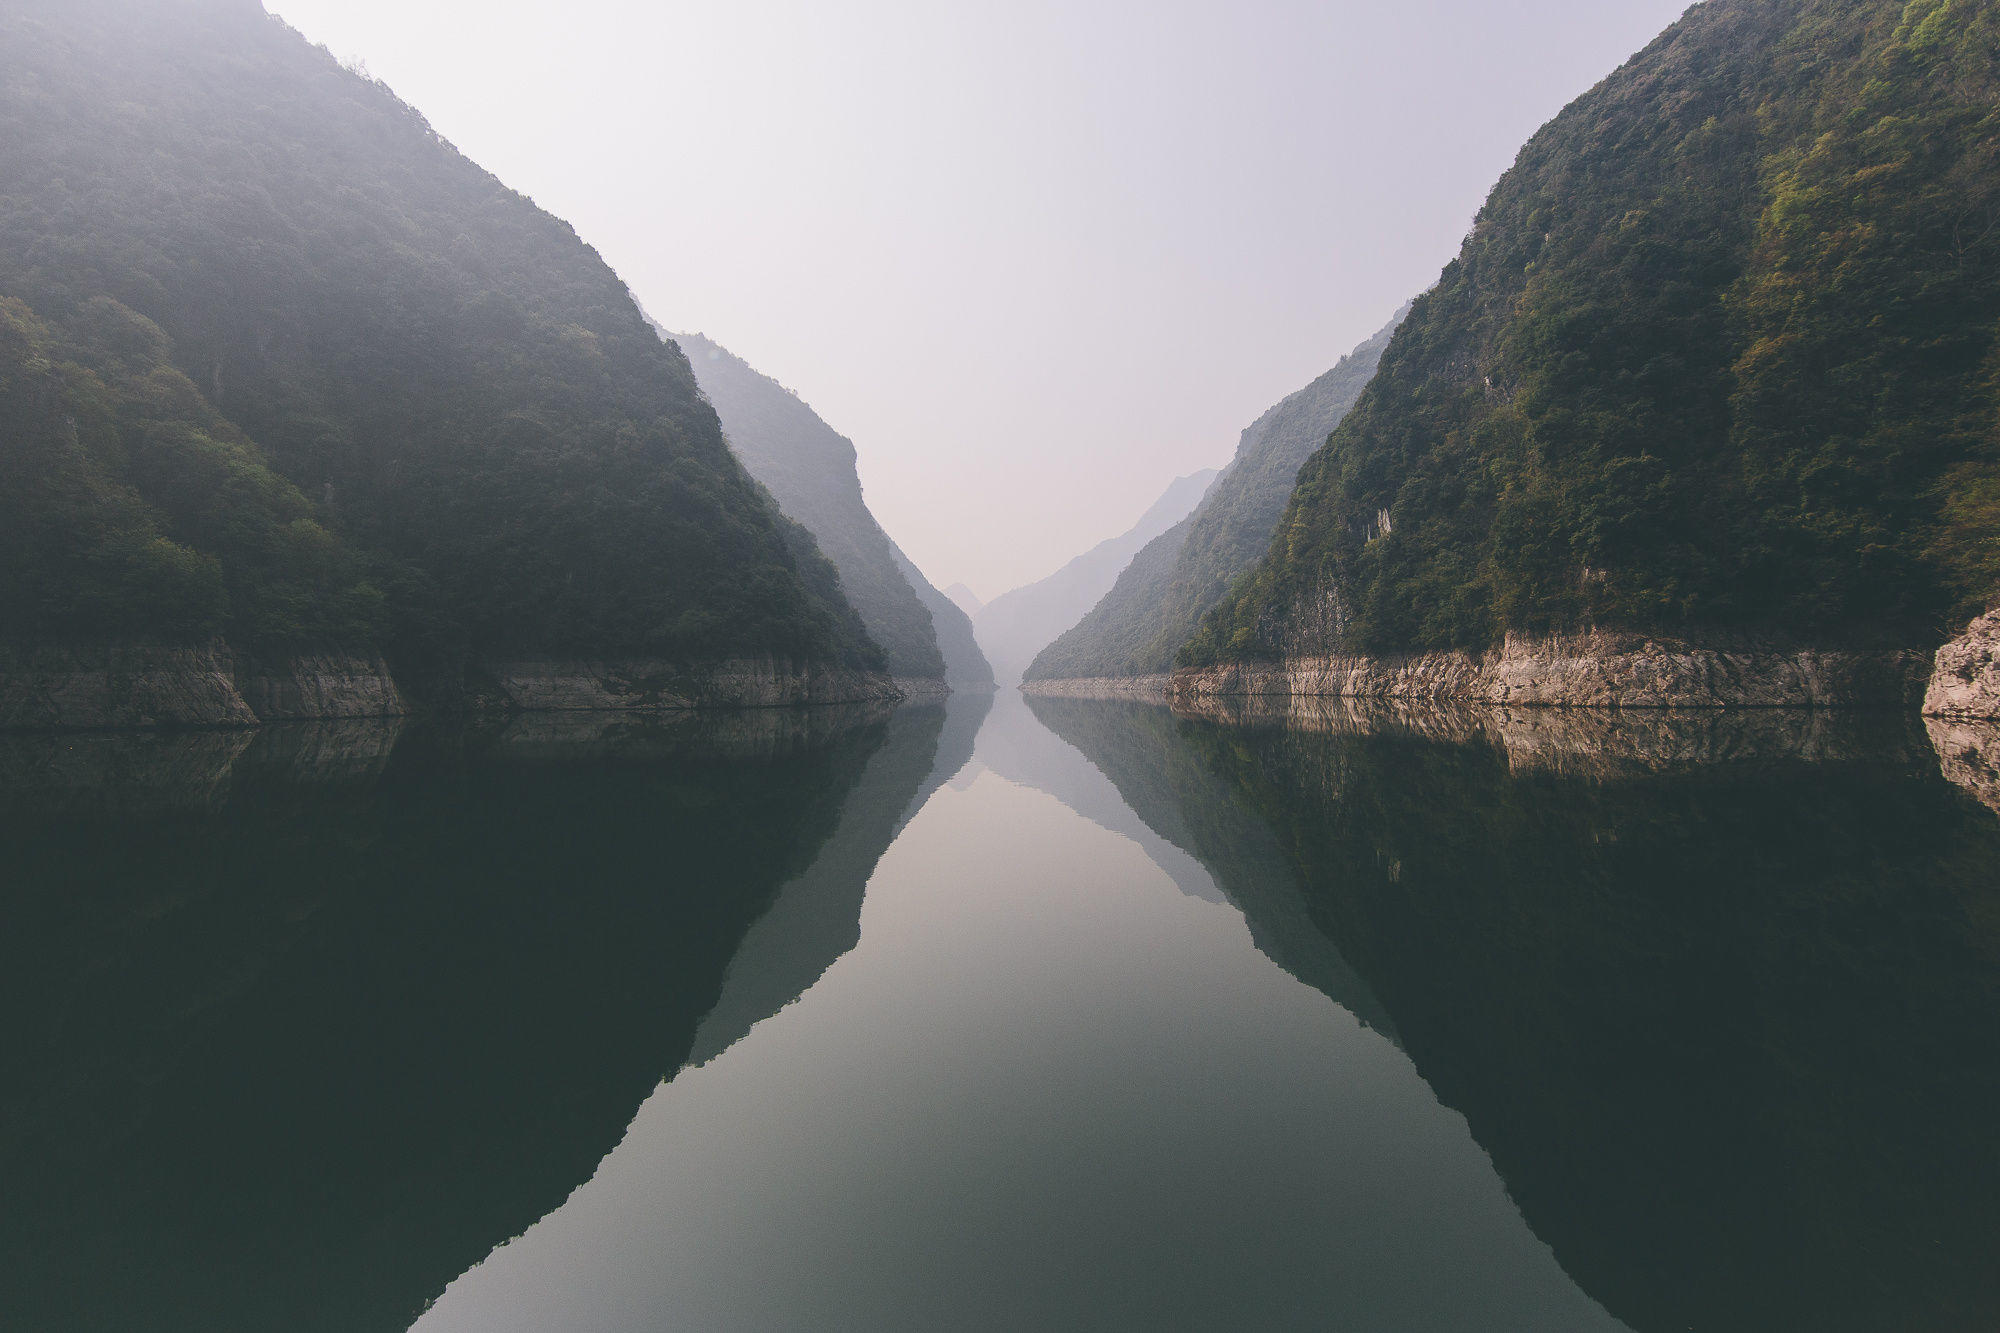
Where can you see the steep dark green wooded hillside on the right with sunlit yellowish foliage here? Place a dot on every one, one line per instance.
(1719, 353)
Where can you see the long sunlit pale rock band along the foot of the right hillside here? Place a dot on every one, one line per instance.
(1597, 672)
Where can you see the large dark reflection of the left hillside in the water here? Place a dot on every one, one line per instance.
(303, 1028)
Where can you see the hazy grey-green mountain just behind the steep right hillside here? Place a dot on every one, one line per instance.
(1181, 575)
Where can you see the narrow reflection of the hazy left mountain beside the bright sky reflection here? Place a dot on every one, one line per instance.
(819, 916)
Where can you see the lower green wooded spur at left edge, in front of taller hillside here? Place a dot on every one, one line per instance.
(131, 509)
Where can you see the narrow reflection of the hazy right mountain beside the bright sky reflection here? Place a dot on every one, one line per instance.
(1167, 786)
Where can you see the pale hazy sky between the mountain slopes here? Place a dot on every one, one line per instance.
(1035, 257)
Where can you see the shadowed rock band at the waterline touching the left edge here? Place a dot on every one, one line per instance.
(121, 688)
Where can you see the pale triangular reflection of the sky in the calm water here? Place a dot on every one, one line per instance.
(1047, 1090)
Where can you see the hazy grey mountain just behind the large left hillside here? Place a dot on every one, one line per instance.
(811, 471)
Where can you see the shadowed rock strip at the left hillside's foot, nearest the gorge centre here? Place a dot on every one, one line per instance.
(665, 688)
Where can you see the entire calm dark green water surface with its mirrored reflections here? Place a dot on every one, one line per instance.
(1003, 1016)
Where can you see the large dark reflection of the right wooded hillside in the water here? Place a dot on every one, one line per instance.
(1723, 1002)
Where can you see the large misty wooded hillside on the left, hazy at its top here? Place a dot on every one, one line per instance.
(333, 381)
